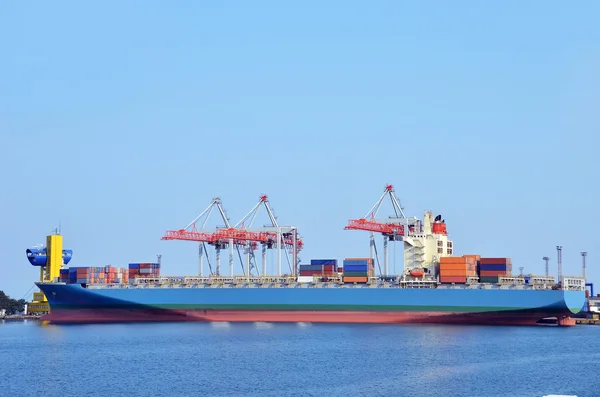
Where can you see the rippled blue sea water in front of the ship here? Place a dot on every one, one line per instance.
(304, 359)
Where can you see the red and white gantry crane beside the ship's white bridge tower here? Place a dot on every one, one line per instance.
(392, 228)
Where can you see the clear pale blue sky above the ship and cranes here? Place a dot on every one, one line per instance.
(124, 119)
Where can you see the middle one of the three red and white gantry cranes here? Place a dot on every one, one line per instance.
(270, 236)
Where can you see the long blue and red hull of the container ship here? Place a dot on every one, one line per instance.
(289, 301)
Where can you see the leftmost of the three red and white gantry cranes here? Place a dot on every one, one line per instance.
(206, 236)
